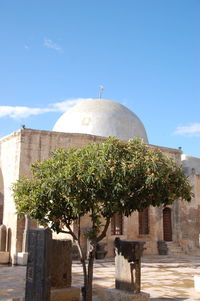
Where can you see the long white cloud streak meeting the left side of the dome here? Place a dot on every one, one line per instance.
(17, 112)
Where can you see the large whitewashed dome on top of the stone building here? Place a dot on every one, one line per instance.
(101, 117)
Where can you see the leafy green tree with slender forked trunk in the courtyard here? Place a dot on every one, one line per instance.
(99, 179)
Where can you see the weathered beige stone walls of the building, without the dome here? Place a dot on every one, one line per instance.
(20, 149)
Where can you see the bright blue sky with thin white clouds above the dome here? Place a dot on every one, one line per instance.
(146, 53)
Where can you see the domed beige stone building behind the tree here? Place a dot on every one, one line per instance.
(92, 120)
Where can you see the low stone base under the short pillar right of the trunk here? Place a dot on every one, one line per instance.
(111, 294)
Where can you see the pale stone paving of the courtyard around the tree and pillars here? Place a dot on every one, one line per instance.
(164, 277)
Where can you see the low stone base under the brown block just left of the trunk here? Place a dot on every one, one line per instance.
(63, 294)
